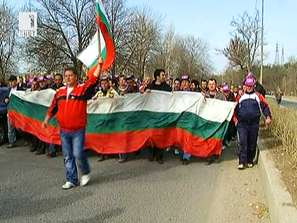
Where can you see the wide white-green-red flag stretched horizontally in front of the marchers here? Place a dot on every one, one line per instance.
(126, 124)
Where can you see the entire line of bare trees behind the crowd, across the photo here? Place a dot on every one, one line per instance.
(142, 43)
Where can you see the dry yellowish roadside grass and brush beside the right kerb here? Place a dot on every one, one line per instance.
(281, 139)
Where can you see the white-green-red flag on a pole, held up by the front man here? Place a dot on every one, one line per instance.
(90, 55)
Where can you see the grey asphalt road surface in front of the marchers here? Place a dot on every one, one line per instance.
(137, 191)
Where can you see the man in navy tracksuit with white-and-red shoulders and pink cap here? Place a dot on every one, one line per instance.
(247, 117)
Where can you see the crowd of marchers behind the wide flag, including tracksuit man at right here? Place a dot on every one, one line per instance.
(249, 97)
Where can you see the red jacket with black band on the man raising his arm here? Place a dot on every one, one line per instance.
(71, 112)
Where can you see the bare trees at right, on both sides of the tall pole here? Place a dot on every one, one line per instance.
(243, 55)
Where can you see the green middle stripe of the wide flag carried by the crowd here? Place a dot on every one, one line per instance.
(121, 122)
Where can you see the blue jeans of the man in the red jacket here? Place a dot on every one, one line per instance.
(73, 144)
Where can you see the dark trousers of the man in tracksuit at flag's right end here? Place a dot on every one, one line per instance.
(247, 135)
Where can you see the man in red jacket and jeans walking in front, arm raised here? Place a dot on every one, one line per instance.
(69, 105)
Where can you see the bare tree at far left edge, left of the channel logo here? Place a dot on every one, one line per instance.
(8, 43)
